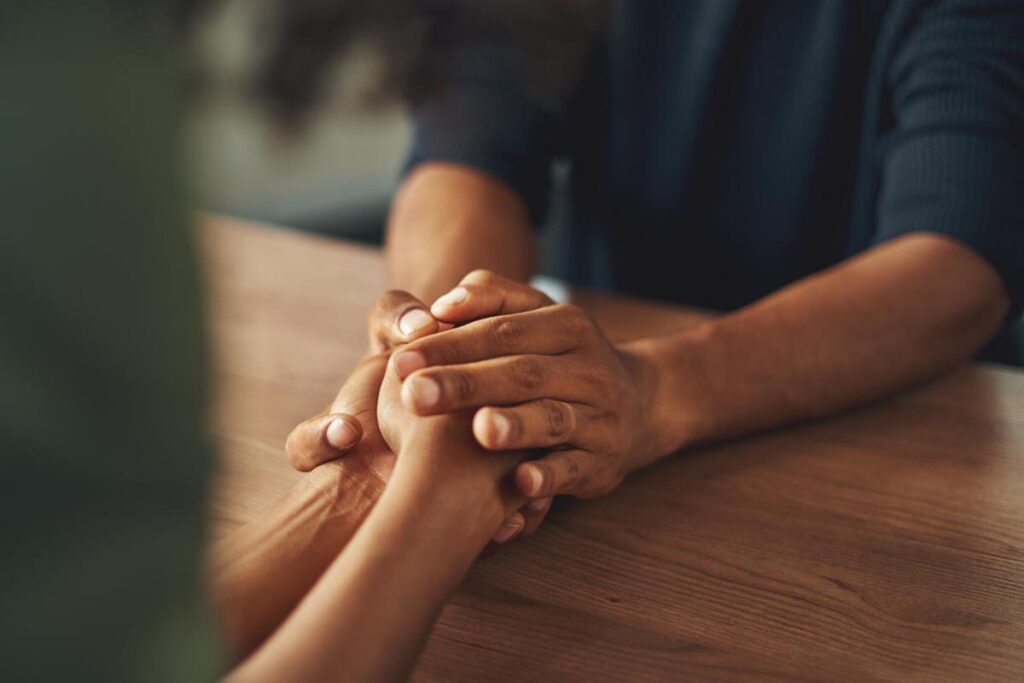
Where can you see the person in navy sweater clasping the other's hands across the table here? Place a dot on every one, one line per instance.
(842, 180)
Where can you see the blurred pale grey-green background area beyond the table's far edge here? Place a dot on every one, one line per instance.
(334, 177)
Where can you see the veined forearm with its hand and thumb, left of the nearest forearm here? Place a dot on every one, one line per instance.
(262, 571)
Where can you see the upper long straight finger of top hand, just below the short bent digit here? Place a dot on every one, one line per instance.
(547, 331)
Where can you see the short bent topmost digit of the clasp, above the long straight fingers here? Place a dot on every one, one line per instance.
(483, 294)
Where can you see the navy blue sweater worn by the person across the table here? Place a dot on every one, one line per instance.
(722, 149)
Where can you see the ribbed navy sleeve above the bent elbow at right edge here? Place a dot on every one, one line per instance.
(954, 161)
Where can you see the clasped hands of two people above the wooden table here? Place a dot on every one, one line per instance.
(519, 372)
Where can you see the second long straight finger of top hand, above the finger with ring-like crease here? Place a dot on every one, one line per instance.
(504, 381)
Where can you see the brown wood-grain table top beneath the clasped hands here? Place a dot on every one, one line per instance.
(886, 544)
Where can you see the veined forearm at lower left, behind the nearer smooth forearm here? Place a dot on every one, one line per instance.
(262, 571)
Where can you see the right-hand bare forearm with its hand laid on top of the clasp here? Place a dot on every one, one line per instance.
(558, 382)
